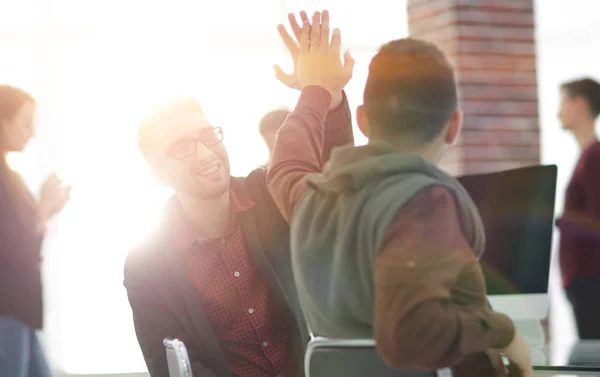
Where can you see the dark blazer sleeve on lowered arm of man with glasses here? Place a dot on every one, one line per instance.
(153, 323)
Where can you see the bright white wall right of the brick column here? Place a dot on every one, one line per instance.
(568, 41)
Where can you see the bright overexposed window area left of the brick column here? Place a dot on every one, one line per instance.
(96, 68)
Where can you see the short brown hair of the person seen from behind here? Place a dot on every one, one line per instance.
(410, 92)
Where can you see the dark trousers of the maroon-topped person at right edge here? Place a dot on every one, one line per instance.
(584, 295)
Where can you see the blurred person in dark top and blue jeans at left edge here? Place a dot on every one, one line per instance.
(23, 222)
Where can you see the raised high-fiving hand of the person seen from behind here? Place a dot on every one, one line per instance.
(319, 62)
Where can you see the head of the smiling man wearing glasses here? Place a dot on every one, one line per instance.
(184, 150)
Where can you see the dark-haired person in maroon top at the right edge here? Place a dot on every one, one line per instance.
(580, 223)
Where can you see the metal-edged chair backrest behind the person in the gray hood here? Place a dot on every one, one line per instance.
(354, 358)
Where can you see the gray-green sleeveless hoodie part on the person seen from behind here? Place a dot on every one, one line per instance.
(339, 225)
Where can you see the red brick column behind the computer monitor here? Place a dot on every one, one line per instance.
(492, 47)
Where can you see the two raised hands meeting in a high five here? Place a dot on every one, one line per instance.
(317, 56)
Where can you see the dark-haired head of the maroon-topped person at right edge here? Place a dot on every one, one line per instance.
(580, 104)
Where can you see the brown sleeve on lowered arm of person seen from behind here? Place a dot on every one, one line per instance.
(417, 323)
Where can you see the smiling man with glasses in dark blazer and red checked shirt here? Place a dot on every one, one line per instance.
(216, 272)
